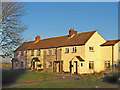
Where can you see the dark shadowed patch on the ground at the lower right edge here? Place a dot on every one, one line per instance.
(112, 78)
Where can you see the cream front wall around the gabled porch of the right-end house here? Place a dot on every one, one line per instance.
(67, 57)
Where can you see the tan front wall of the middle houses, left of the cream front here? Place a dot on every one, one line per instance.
(44, 58)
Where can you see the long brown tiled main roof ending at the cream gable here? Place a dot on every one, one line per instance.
(78, 39)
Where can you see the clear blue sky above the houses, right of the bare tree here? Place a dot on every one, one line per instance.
(53, 19)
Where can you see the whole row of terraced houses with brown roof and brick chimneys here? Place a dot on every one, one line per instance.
(76, 53)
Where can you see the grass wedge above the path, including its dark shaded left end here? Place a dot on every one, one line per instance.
(21, 75)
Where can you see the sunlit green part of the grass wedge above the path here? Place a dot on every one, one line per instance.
(34, 76)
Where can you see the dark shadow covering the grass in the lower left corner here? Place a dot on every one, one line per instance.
(10, 76)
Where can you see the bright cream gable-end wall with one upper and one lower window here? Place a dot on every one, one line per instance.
(95, 41)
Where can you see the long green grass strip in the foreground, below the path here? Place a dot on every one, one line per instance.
(64, 84)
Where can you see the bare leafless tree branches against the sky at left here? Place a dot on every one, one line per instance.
(11, 28)
